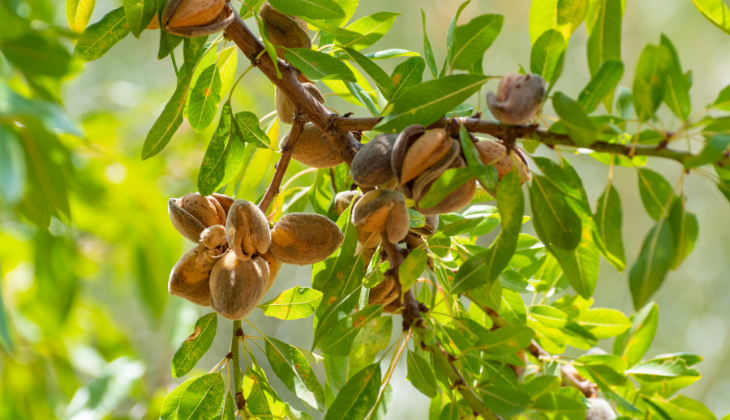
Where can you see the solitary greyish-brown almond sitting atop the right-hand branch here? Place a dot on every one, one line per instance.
(518, 98)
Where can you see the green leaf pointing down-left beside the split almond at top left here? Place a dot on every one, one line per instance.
(98, 38)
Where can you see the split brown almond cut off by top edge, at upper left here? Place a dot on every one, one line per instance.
(194, 18)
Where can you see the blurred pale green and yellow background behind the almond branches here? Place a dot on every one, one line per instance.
(114, 255)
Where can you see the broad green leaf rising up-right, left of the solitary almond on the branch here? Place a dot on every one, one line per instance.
(472, 40)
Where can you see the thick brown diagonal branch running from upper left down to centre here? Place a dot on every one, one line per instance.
(343, 142)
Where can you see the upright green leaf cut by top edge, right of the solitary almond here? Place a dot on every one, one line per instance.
(604, 42)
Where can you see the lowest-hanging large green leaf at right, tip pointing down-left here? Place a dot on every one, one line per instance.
(649, 271)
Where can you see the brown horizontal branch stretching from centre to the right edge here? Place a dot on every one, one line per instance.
(530, 132)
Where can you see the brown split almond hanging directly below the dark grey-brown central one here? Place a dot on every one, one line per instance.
(382, 211)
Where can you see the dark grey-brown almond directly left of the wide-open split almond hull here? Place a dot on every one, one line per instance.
(371, 165)
